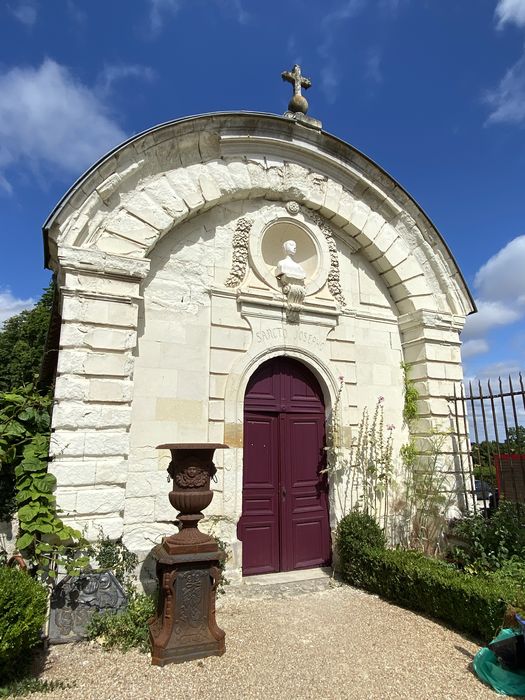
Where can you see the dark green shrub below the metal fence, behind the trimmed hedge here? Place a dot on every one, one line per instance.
(490, 542)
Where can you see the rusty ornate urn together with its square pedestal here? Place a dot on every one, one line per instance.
(188, 565)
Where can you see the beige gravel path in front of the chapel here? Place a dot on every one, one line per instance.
(336, 642)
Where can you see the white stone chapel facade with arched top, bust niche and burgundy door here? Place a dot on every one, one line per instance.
(183, 318)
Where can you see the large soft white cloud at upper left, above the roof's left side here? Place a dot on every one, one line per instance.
(48, 119)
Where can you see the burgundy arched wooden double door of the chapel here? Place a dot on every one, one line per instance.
(285, 521)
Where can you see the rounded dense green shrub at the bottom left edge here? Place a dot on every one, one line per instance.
(23, 608)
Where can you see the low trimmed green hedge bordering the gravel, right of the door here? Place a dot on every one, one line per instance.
(474, 604)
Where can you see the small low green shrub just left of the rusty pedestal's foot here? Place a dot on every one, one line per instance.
(127, 629)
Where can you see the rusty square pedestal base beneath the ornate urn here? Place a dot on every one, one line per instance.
(184, 627)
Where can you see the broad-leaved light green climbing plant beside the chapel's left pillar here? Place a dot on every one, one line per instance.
(44, 540)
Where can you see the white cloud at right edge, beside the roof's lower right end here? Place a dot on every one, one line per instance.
(502, 277)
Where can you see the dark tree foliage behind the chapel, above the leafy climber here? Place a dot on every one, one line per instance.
(22, 343)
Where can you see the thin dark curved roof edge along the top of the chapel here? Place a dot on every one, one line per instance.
(78, 183)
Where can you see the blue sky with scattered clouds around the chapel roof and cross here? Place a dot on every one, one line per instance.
(432, 90)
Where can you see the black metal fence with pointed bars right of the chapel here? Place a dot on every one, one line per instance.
(489, 427)
